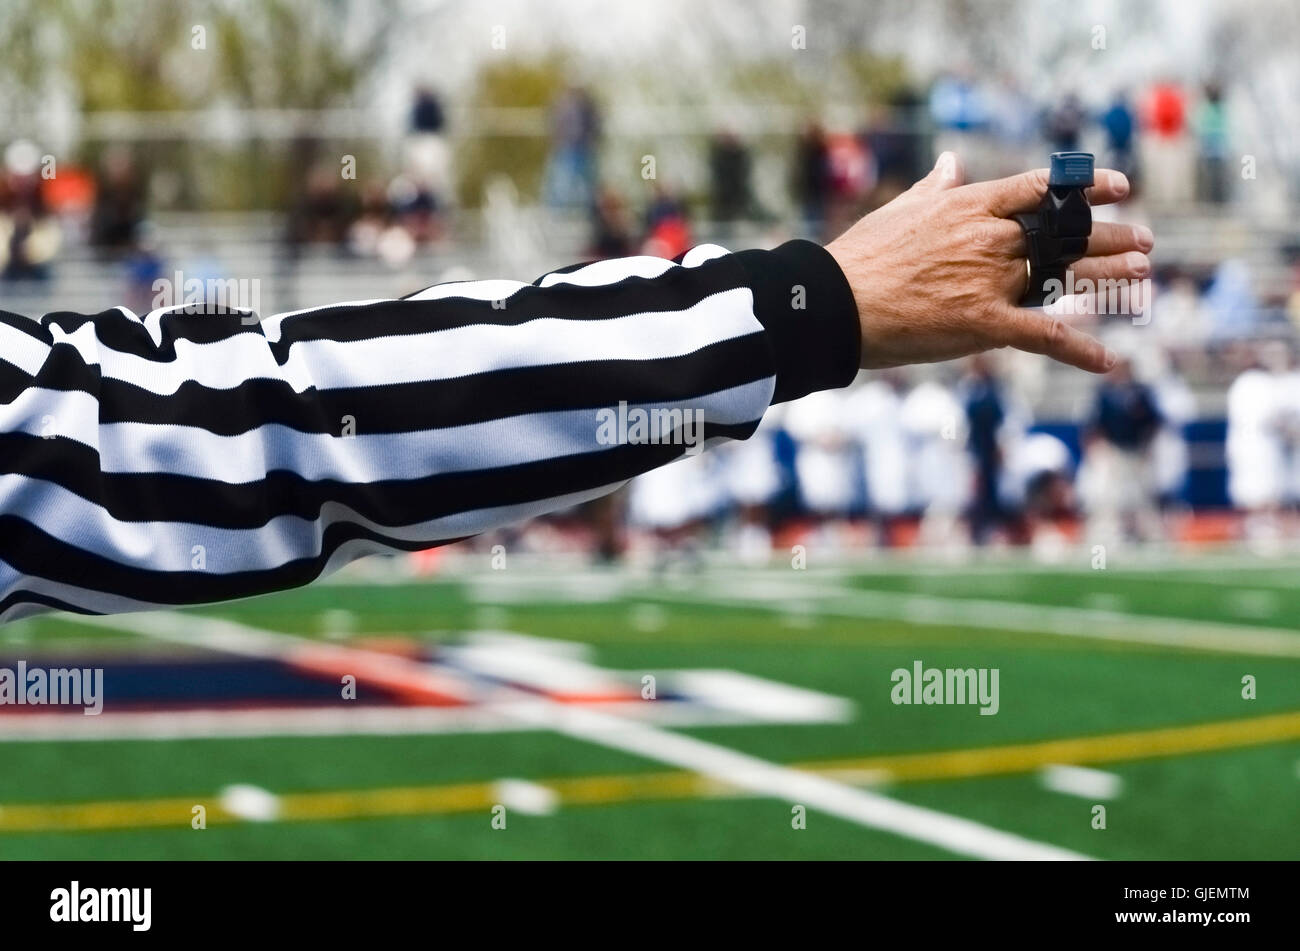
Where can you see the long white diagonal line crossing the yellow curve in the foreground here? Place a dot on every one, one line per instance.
(734, 768)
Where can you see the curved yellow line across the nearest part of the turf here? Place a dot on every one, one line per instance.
(601, 791)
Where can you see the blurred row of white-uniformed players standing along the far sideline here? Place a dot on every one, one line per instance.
(957, 459)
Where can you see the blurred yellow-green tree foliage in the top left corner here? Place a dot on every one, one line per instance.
(190, 55)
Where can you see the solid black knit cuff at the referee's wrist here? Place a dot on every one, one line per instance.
(807, 306)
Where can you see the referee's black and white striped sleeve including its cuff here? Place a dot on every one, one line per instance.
(189, 458)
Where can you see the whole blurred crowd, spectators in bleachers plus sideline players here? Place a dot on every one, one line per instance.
(955, 455)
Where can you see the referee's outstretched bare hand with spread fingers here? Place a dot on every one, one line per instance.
(938, 271)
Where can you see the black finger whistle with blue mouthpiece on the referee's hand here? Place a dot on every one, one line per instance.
(1056, 236)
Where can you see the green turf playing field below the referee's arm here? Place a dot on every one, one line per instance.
(1133, 674)
